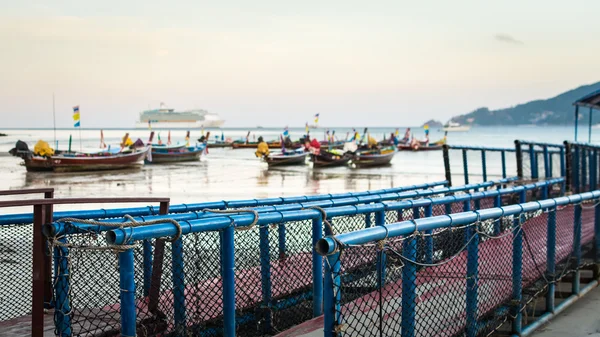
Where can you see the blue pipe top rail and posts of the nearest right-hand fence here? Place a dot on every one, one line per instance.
(332, 247)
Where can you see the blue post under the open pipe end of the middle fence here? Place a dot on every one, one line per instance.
(127, 283)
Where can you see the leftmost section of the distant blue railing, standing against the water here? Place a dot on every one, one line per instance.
(463, 164)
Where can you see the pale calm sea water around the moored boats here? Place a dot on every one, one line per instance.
(236, 174)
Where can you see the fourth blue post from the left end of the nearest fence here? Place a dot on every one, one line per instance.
(517, 276)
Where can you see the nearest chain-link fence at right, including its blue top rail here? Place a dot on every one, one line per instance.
(378, 282)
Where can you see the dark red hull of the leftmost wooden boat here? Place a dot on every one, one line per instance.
(77, 162)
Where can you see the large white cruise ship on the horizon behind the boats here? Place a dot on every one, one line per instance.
(165, 118)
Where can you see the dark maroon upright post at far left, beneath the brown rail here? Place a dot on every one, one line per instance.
(39, 272)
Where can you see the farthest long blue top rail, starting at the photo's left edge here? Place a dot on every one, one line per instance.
(10, 219)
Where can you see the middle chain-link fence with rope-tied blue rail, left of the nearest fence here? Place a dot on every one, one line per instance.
(277, 275)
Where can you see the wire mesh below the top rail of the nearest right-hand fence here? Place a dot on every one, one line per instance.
(417, 286)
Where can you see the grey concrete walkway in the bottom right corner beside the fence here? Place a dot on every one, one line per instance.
(579, 320)
